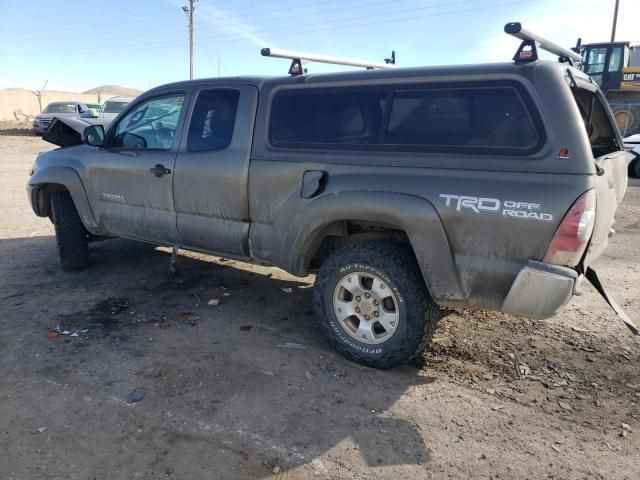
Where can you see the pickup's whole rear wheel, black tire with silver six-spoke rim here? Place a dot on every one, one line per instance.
(374, 305)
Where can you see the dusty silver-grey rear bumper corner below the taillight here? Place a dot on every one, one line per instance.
(540, 290)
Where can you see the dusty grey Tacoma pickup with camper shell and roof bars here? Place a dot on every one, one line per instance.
(406, 190)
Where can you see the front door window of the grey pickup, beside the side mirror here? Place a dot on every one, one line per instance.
(151, 125)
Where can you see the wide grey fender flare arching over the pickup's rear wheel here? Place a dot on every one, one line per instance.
(414, 215)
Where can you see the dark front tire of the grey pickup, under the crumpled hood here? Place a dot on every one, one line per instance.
(71, 236)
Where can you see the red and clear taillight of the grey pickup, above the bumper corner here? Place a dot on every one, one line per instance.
(574, 232)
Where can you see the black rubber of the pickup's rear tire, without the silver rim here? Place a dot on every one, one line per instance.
(397, 267)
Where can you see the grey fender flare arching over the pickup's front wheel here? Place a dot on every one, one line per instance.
(70, 179)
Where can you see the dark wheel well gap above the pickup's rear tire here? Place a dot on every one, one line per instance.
(347, 232)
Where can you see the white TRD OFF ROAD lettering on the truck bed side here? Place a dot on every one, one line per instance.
(506, 208)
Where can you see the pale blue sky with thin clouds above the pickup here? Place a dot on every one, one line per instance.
(77, 45)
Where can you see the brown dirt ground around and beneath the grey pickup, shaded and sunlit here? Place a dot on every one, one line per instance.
(228, 397)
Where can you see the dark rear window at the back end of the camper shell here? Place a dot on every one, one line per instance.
(597, 122)
